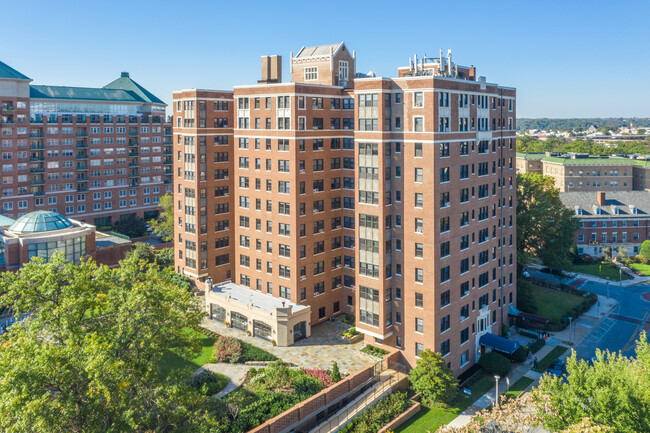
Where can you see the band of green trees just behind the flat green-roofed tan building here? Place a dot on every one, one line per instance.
(559, 144)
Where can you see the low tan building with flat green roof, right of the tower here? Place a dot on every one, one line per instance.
(582, 172)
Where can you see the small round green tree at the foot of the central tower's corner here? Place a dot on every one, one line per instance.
(433, 379)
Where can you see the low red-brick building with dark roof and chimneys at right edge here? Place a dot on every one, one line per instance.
(613, 220)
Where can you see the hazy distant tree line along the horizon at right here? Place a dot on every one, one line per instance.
(577, 124)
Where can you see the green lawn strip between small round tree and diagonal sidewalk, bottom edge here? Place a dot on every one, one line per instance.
(431, 418)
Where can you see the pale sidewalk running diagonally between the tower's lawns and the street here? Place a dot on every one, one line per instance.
(581, 327)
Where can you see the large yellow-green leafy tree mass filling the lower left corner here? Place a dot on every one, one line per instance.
(87, 358)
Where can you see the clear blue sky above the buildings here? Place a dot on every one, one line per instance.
(566, 58)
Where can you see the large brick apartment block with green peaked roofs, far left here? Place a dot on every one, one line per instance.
(92, 154)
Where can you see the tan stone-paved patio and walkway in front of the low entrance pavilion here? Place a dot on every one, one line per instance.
(320, 350)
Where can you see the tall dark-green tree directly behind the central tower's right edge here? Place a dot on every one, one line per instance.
(545, 228)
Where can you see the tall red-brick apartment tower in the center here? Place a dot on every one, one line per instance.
(334, 189)
